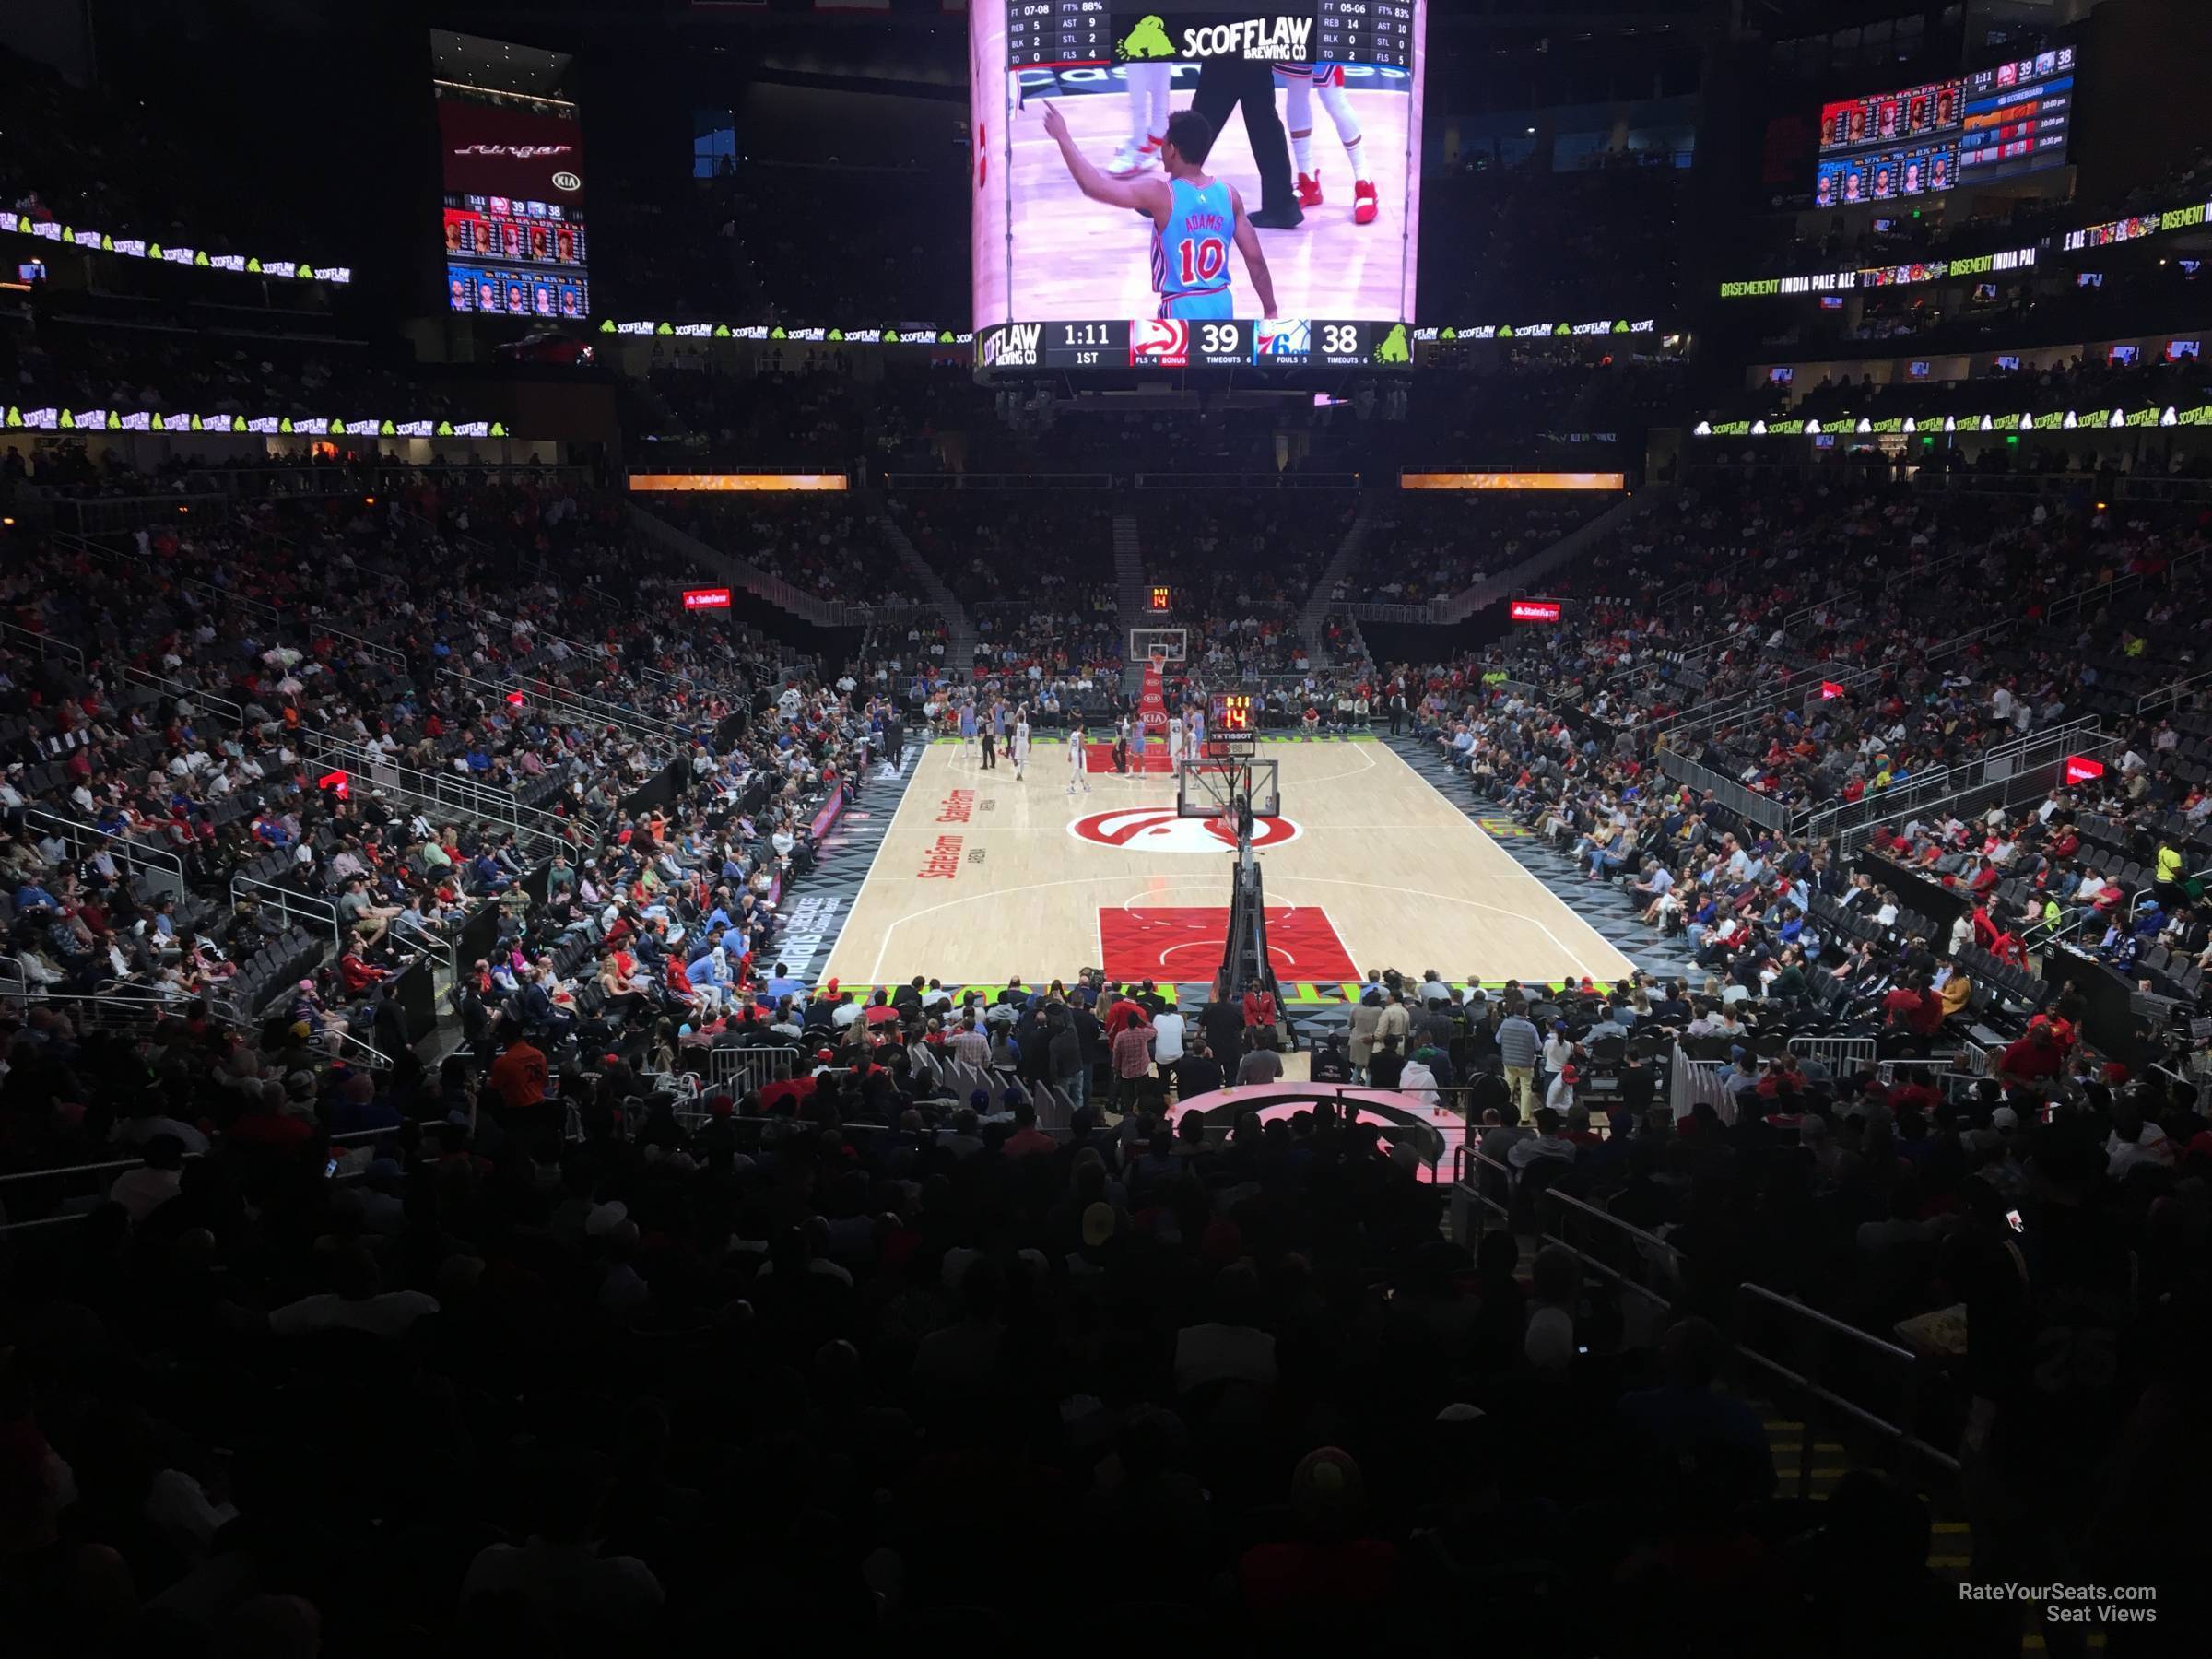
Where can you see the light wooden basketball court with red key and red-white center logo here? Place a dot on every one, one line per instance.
(1366, 868)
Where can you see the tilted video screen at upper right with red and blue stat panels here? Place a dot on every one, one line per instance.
(1972, 129)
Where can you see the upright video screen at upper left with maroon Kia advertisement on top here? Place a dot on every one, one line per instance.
(514, 209)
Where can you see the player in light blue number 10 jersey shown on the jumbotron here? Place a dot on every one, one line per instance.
(1193, 216)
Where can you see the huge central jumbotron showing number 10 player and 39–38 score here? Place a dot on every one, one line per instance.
(1215, 185)
